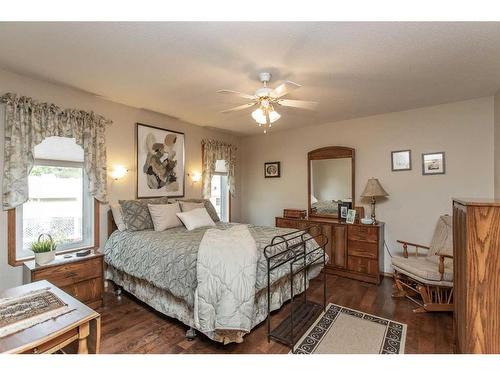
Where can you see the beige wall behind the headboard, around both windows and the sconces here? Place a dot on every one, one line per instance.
(120, 139)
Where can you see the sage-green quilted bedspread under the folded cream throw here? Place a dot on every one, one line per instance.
(168, 259)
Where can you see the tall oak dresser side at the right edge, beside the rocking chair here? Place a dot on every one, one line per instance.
(476, 256)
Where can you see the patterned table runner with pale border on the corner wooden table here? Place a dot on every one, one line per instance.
(27, 310)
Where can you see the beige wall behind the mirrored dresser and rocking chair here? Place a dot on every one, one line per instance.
(463, 130)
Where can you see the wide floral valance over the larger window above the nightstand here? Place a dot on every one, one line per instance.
(28, 123)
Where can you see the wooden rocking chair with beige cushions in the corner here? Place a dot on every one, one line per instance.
(427, 279)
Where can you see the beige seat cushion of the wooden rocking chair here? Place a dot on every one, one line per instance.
(422, 267)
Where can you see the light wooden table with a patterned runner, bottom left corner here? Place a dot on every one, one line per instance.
(79, 330)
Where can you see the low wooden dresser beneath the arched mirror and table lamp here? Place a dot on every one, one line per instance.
(354, 250)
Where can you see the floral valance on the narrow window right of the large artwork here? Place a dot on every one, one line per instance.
(214, 150)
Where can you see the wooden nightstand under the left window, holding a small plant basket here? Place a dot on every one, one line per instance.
(81, 277)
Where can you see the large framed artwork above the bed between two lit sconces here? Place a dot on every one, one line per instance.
(160, 162)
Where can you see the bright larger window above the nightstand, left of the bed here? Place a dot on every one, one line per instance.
(59, 202)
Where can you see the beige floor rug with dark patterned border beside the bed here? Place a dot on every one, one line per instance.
(341, 330)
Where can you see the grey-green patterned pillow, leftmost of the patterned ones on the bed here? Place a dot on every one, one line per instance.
(136, 213)
